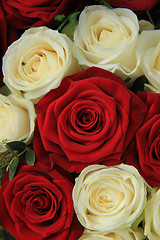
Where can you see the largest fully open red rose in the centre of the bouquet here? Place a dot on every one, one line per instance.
(90, 118)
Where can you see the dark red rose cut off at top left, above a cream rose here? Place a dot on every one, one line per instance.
(23, 14)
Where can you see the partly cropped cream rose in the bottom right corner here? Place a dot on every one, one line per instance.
(152, 217)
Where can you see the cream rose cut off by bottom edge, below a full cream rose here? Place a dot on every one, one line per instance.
(122, 234)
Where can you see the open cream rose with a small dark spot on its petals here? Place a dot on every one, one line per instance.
(37, 62)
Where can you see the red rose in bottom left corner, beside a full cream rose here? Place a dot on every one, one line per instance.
(37, 204)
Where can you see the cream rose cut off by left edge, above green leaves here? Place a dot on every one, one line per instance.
(17, 119)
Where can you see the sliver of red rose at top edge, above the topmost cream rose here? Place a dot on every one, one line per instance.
(136, 5)
